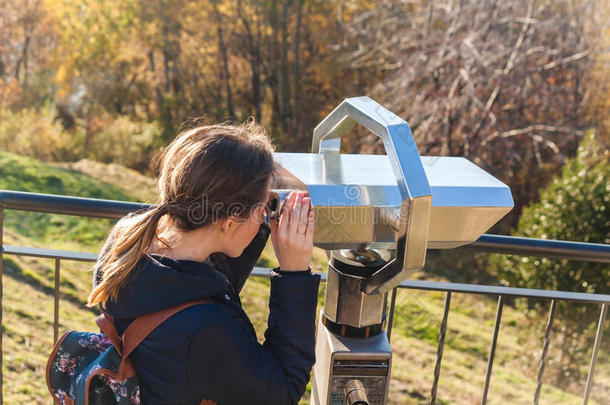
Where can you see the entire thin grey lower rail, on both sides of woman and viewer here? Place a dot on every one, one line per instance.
(409, 284)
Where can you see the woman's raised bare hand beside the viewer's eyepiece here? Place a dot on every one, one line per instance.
(292, 234)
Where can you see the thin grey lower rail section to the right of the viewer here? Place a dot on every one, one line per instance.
(508, 291)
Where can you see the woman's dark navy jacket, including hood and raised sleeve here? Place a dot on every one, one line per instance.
(210, 351)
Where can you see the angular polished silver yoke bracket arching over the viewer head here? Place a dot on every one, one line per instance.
(413, 222)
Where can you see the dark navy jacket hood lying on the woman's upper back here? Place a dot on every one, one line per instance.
(158, 282)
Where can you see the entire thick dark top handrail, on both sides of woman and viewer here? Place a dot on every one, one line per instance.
(93, 207)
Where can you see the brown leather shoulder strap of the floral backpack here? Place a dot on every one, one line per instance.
(135, 333)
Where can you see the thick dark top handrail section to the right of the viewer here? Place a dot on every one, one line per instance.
(559, 249)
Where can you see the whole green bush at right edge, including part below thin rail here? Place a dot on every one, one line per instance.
(573, 207)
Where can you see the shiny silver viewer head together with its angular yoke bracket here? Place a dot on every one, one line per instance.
(399, 201)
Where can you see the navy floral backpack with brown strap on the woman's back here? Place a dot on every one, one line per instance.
(88, 368)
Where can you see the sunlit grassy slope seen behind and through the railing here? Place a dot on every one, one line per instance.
(28, 308)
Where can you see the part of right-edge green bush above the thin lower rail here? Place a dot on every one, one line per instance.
(575, 206)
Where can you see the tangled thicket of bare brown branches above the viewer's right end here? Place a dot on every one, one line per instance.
(500, 82)
